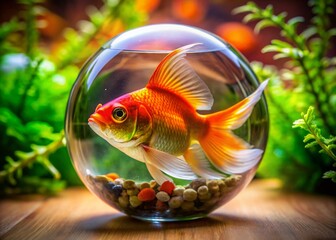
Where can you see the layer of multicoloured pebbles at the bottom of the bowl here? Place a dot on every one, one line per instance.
(199, 195)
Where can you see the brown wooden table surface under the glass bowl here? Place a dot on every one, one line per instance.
(258, 212)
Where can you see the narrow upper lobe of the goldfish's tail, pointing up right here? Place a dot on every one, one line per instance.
(235, 116)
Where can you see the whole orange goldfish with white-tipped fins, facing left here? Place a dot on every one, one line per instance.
(160, 125)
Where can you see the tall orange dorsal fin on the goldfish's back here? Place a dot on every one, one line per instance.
(174, 74)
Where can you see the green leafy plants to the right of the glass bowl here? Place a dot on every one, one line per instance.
(307, 80)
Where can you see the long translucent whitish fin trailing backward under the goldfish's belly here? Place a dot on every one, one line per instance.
(169, 164)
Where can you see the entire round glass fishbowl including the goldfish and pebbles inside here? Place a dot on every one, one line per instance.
(166, 123)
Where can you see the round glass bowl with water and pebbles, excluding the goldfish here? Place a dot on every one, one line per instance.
(125, 64)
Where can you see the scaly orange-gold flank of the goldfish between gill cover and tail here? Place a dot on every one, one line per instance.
(175, 122)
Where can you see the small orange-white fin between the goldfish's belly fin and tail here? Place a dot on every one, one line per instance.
(199, 163)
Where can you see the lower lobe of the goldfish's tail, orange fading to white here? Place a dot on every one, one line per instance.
(229, 153)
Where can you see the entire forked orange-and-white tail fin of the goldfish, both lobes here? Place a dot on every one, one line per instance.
(224, 149)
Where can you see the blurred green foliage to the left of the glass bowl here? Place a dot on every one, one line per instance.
(35, 85)
